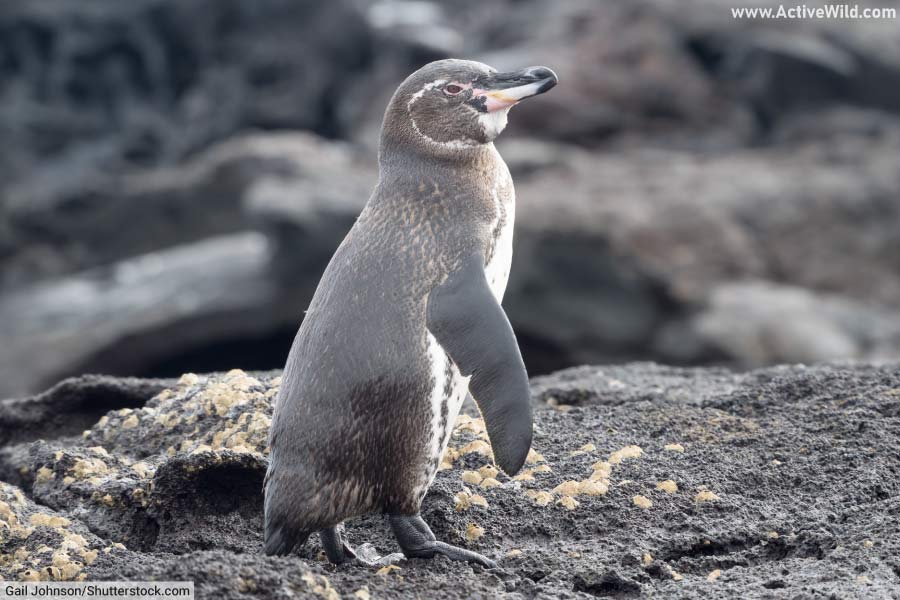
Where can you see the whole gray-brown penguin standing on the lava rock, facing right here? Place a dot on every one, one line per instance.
(406, 320)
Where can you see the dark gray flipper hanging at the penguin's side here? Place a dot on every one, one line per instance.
(465, 318)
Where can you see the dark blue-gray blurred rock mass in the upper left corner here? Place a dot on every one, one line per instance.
(148, 82)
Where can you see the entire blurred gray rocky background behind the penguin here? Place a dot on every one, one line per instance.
(175, 174)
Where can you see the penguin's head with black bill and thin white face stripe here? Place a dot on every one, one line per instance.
(453, 105)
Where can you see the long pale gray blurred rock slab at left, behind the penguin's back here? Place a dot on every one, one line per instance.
(120, 317)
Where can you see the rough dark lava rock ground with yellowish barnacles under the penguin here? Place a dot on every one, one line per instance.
(644, 480)
